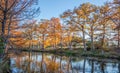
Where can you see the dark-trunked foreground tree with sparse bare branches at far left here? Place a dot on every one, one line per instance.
(15, 10)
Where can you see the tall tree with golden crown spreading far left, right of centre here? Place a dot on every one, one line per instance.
(79, 18)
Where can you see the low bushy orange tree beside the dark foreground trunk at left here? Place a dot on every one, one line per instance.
(16, 39)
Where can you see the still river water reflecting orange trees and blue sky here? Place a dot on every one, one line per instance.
(48, 63)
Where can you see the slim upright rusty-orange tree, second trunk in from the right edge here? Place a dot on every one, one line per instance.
(104, 22)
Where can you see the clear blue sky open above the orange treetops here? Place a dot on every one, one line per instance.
(53, 8)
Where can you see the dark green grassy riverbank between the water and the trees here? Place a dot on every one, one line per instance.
(78, 52)
